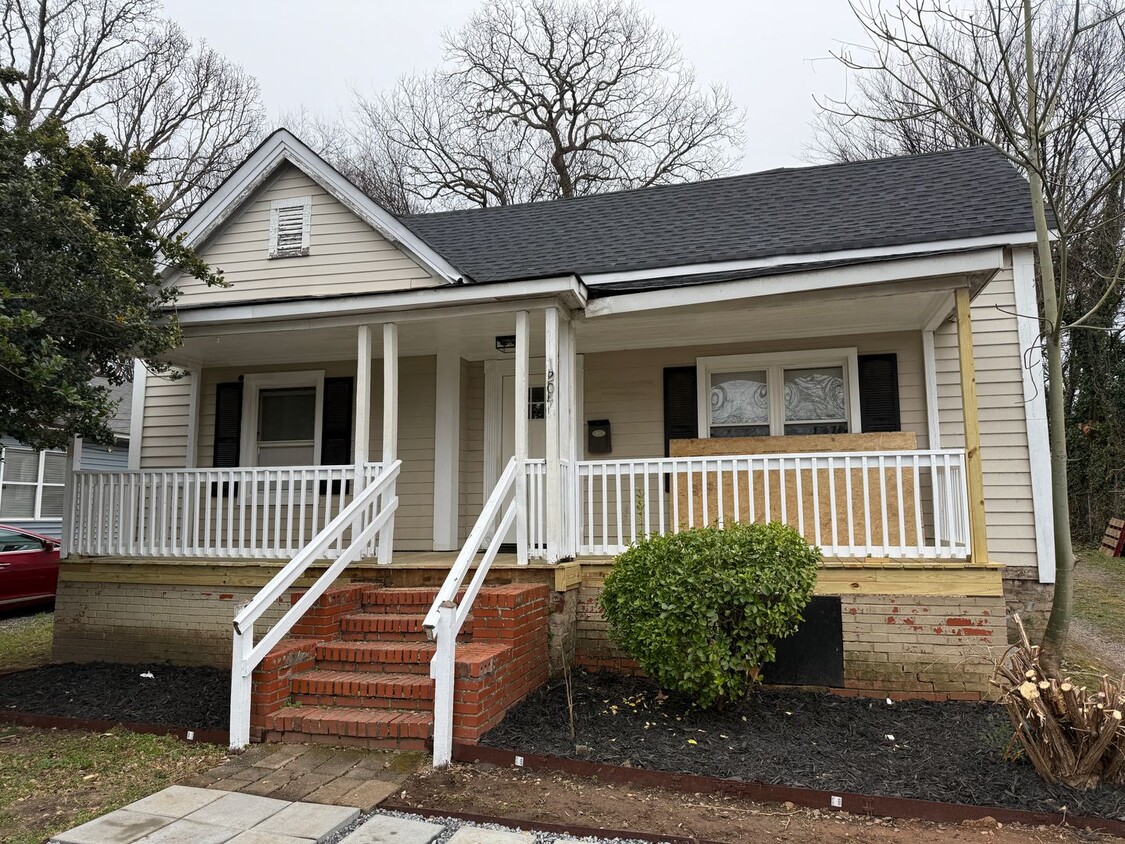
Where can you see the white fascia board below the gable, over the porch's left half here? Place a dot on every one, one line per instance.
(568, 289)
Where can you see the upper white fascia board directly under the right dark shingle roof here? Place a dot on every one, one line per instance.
(759, 264)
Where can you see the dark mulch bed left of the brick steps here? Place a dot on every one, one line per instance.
(195, 698)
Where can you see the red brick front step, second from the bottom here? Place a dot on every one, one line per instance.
(364, 690)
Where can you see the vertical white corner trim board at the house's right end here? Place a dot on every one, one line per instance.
(1036, 410)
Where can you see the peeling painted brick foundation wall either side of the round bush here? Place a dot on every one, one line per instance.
(907, 647)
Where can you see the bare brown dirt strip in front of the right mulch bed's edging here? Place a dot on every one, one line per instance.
(563, 800)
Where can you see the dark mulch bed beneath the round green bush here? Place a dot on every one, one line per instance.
(949, 752)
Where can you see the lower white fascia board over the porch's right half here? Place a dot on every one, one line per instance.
(986, 261)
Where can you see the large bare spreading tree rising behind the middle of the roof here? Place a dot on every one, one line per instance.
(547, 100)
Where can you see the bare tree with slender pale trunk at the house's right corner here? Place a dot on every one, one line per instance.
(1043, 83)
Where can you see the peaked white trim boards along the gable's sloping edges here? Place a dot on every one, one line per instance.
(284, 147)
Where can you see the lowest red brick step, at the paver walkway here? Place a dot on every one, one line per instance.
(381, 728)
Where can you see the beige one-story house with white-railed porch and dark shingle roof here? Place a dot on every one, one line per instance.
(835, 347)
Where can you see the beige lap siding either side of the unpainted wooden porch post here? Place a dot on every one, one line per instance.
(1009, 505)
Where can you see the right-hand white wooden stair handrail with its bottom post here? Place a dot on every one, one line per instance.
(445, 619)
